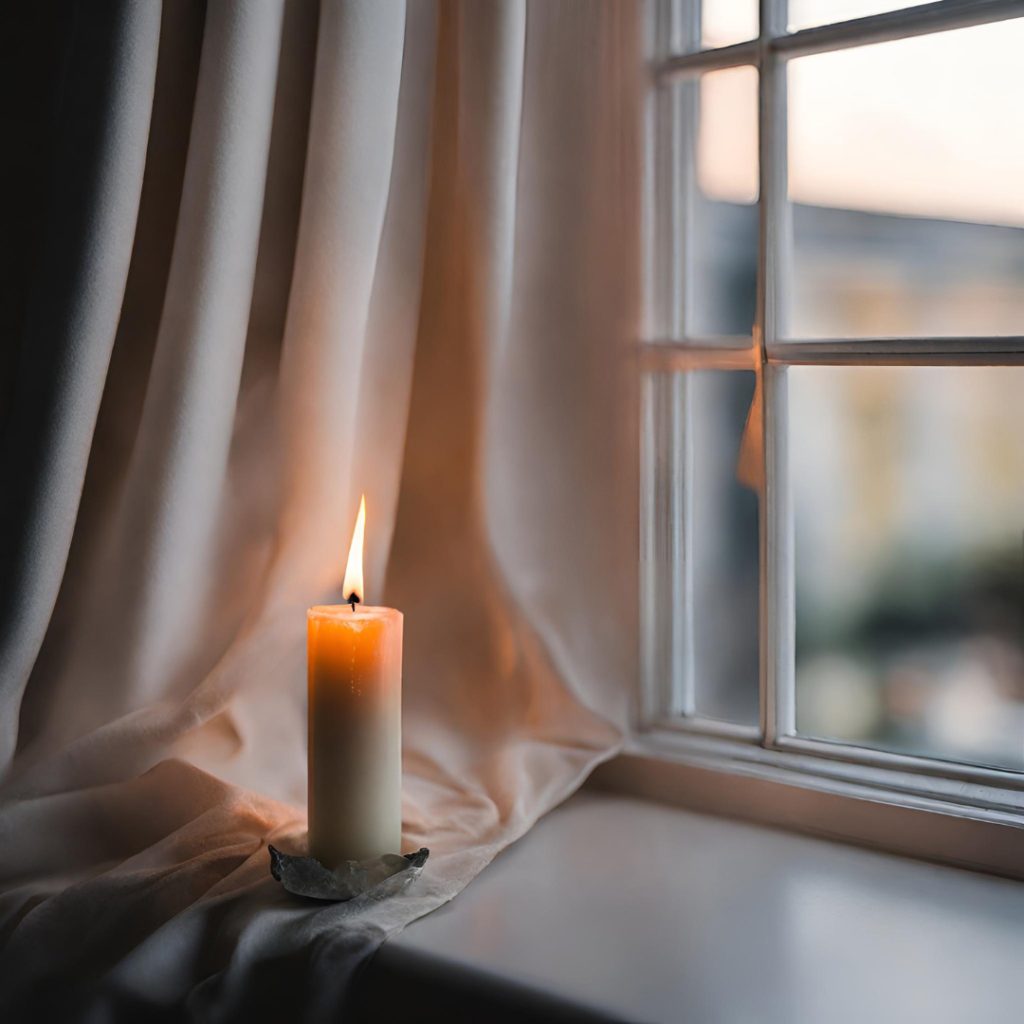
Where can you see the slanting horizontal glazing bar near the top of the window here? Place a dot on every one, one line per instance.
(941, 17)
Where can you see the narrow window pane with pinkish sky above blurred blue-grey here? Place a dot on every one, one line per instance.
(726, 218)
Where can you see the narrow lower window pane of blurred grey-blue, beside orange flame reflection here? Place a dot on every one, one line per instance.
(726, 550)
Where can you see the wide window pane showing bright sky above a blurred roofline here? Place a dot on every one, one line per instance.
(907, 164)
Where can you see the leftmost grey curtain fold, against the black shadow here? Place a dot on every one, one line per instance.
(100, 125)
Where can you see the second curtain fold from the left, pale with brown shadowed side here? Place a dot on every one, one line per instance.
(154, 585)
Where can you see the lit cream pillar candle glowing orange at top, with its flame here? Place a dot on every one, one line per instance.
(355, 662)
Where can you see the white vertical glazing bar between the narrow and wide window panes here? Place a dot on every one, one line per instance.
(777, 628)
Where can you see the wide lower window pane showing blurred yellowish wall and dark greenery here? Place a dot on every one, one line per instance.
(909, 490)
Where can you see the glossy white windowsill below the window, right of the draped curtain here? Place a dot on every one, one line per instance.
(615, 909)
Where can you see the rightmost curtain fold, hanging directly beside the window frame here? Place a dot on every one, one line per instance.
(562, 483)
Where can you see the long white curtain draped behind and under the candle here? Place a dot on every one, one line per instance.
(298, 253)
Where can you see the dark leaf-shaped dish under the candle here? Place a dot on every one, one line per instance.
(381, 877)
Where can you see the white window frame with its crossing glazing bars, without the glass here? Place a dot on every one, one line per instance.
(677, 350)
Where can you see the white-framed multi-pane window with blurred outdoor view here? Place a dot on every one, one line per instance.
(833, 482)
